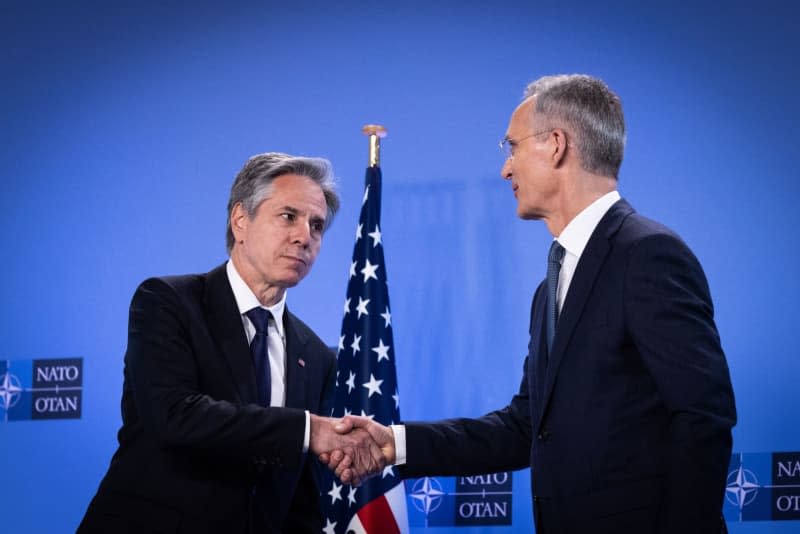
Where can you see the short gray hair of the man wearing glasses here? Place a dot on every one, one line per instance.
(591, 110)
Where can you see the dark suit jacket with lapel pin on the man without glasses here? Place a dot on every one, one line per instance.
(196, 453)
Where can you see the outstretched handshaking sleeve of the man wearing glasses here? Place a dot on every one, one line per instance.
(498, 441)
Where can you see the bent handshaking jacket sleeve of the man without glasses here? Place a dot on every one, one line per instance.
(163, 368)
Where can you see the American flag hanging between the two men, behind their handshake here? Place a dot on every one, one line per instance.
(367, 380)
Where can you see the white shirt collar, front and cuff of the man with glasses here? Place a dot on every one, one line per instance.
(573, 238)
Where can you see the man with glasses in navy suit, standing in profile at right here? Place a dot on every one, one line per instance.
(625, 409)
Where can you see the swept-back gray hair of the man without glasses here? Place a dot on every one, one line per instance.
(253, 184)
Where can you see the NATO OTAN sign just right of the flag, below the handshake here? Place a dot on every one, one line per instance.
(480, 500)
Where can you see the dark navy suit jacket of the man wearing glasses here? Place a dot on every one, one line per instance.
(627, 424)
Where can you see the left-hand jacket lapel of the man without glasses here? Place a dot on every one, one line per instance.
(225, 325)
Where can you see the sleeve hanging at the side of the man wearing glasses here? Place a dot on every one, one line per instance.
(669, 311)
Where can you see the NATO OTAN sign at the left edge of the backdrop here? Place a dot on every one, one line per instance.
(41, 389)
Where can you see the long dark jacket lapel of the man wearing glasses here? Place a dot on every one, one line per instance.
(589, 265)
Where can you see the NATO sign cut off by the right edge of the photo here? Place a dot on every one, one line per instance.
(763, 487)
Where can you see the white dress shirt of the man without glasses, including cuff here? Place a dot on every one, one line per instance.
(276, 339)
